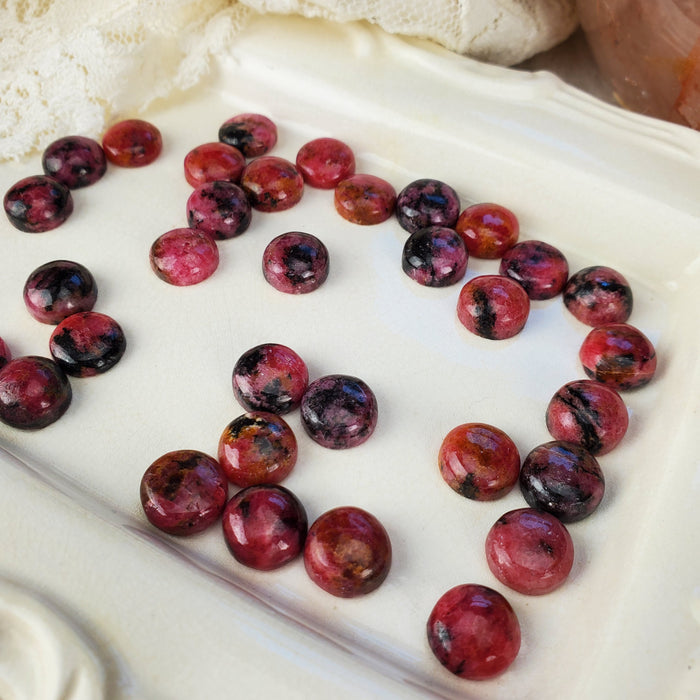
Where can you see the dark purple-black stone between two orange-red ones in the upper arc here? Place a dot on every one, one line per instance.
(427, 202)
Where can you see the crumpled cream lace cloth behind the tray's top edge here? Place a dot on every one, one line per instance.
(70, 66)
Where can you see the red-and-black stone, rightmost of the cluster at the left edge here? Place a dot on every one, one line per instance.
(87, 343)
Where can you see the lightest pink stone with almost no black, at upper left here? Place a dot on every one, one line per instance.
(184, 256)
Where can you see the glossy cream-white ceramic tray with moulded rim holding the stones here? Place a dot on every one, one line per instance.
(170, 618)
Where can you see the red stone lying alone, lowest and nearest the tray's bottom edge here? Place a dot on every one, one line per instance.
(474, 632)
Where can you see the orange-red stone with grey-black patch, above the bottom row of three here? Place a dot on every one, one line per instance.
(257, 448)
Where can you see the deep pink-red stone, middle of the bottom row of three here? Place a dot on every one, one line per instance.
(265, 526)
